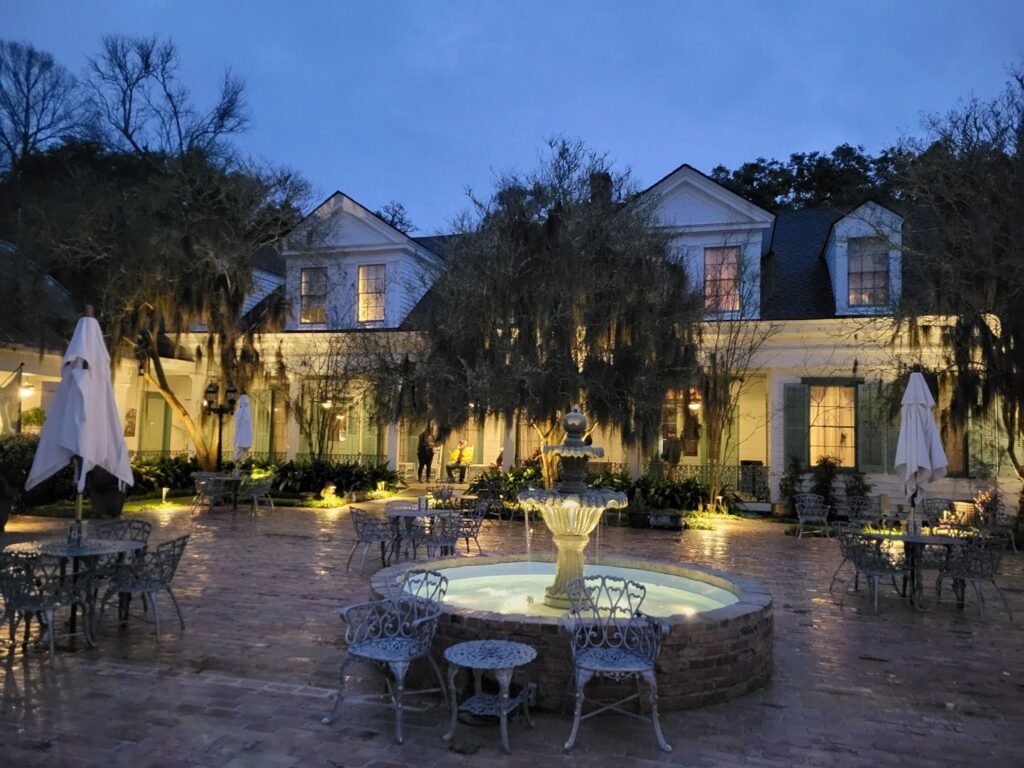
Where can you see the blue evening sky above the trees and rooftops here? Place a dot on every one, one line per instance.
(418, 101)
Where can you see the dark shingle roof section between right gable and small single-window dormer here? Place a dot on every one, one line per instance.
(795, 283)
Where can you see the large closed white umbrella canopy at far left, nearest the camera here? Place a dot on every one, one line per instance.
(83, 419)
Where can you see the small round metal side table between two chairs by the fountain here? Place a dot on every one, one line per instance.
(500, 657)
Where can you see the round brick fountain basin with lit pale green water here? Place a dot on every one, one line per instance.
(720, 627)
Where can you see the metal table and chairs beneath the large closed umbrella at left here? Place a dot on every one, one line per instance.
(113, 564)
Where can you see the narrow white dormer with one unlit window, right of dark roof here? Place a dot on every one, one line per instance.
(864, 259)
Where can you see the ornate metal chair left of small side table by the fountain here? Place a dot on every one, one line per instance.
(391, 634)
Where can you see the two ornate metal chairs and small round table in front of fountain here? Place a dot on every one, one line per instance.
(609, 635)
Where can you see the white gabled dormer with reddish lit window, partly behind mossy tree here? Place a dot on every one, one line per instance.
(720, 239)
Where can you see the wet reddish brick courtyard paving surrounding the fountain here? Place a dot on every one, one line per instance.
(248, 681)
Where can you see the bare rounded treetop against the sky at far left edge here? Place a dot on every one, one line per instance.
(39, 102)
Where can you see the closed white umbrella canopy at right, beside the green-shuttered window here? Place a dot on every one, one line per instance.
(920, 458)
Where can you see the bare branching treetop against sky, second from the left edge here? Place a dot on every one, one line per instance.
(144, 107)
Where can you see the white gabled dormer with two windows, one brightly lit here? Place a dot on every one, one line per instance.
(349, 269)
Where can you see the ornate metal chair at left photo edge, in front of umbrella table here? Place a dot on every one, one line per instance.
(34, 586)
